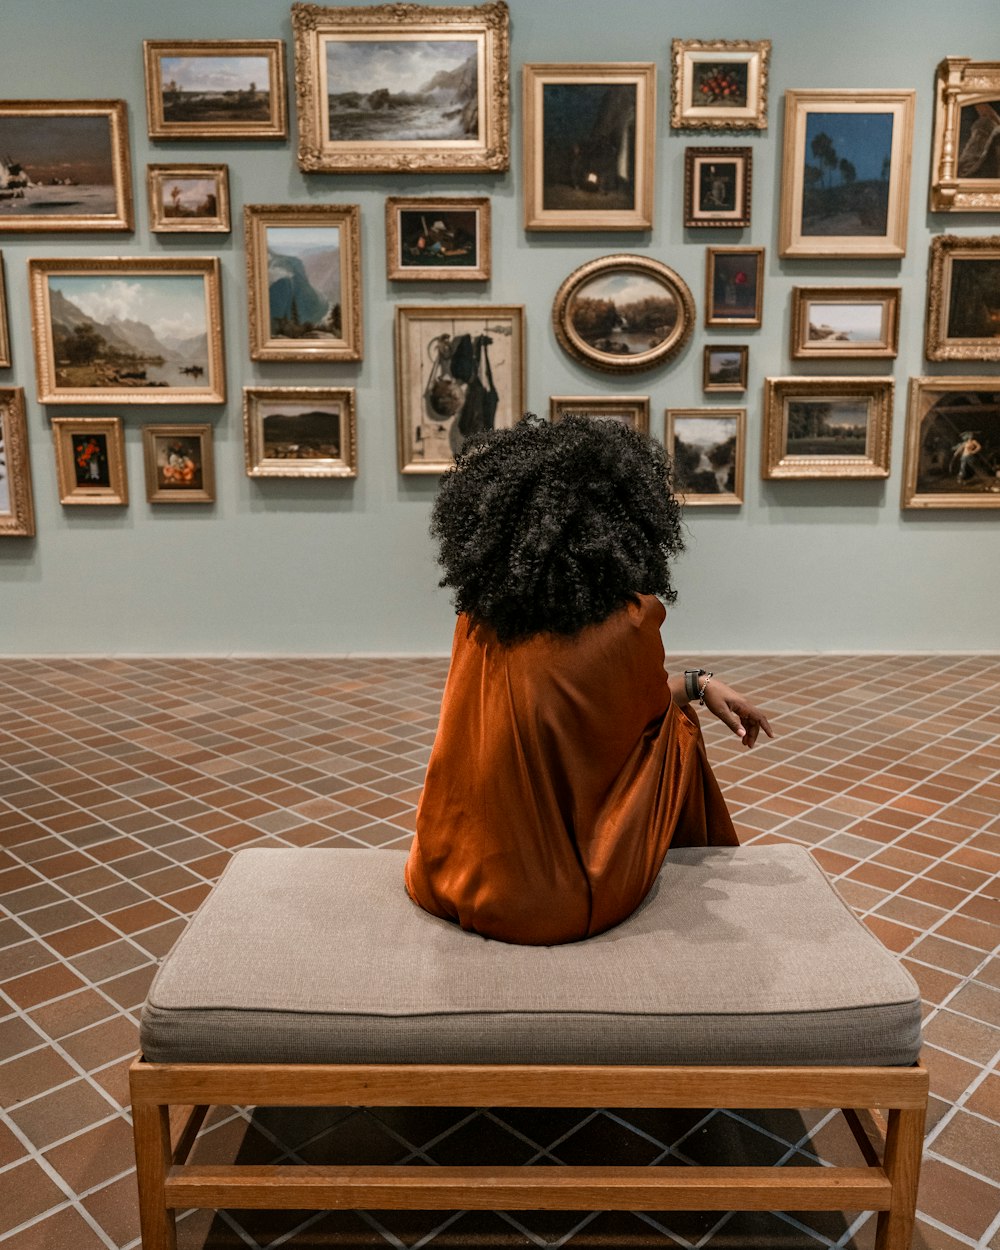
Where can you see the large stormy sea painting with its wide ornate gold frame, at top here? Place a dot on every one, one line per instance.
(409, 88)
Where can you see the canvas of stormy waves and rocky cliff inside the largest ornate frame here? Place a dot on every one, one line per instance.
(402, 91)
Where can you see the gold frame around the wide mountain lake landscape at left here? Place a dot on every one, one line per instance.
(131, 384)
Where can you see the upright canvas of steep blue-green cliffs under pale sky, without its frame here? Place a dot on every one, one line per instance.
(304, 283)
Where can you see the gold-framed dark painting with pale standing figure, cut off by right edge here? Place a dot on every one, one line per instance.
(953, 443)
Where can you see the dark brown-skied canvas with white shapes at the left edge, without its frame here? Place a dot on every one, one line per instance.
(57, 167)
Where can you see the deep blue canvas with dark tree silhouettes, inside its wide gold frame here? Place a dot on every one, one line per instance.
(846, 174)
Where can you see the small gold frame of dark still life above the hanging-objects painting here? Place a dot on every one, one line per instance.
(399, 268)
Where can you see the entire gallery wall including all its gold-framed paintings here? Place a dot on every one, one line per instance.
(263, 274)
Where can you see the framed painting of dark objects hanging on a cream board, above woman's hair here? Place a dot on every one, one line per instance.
(459, 373)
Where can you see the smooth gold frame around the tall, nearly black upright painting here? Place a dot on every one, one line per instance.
(641, 76)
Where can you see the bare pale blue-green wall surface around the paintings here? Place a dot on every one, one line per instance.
(333, 567)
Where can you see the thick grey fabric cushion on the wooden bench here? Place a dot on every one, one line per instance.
(738, 956)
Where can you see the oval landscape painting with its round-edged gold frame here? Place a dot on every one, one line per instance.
(623, 313)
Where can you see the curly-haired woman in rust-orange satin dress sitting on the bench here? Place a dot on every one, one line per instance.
(567, 761)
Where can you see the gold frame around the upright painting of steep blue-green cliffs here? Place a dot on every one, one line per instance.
(344, 219)
